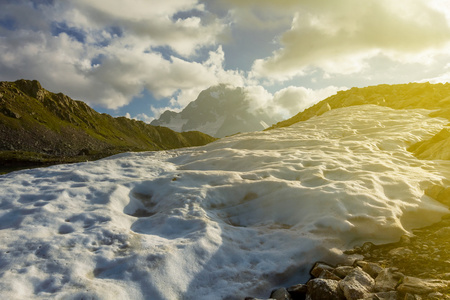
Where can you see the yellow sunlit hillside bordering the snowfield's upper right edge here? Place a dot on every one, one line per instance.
(434, 97)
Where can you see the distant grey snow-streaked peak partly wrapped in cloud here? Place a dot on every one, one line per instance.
(219, 111)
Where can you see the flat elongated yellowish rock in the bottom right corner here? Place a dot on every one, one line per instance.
(422, 286)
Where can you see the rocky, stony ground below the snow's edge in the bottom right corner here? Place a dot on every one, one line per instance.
(416, 267)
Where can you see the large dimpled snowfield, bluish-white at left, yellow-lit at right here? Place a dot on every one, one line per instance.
(227, 220)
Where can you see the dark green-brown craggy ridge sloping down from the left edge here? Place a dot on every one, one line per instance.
(39, 126)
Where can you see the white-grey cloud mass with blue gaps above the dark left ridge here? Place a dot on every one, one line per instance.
(103, 52)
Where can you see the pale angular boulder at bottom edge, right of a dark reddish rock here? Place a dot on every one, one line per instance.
(356, 285)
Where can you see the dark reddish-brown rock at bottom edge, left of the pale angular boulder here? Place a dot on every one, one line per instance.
(319, 289)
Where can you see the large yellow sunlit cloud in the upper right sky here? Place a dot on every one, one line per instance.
(340, 37)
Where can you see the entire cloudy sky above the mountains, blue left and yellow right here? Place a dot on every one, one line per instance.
(137, 58)
